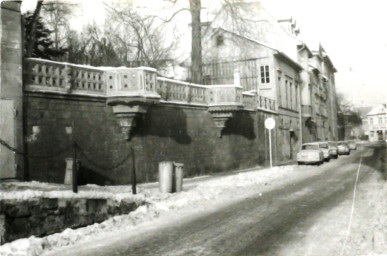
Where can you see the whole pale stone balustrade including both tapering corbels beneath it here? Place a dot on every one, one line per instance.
(130, 91)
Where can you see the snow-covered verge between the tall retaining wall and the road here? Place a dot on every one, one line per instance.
(216, 189)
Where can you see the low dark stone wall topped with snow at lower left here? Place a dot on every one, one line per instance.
(44, 216)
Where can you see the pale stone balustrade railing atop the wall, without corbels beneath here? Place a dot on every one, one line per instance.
(51, 76)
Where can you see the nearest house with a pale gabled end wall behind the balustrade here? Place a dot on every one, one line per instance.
(263, 70)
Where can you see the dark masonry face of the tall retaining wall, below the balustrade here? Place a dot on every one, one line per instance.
(167, 132)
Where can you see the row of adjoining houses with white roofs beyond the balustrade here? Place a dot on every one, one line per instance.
(275, 63)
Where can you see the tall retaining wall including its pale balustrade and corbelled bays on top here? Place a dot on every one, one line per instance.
(112, 110)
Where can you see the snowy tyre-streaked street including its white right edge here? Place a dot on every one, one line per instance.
(307, 214)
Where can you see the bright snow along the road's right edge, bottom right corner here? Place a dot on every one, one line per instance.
(367, 234)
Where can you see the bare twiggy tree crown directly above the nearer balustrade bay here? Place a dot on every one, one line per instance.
(139, 39)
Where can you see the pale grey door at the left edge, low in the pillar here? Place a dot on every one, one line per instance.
(7, 134)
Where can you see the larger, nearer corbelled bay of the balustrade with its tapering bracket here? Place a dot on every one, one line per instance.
(130, 92)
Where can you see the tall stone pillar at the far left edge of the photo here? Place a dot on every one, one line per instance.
(11, 90)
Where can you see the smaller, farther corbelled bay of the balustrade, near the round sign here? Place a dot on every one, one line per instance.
(224, 101)
